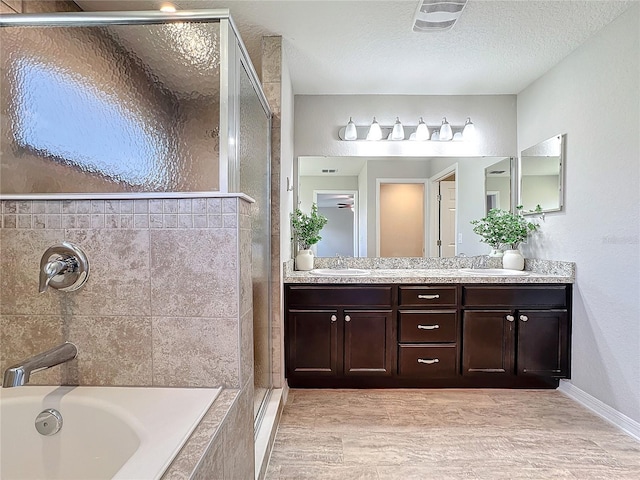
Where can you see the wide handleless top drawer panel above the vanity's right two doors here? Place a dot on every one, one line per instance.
(549, 296)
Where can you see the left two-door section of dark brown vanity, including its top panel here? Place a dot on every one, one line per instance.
(338, 331)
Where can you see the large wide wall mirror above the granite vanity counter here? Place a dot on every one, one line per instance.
(402, 206)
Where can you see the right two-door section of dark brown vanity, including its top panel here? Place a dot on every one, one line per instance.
(516, 330)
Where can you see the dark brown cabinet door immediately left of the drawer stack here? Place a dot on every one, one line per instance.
(368, 343)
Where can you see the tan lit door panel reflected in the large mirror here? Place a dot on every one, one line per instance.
(401, 221)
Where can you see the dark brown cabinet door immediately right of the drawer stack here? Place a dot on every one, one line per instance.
(488, 342)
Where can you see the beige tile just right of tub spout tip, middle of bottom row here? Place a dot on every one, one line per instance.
(111, 350)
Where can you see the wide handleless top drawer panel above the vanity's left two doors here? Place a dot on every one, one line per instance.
(338, 295)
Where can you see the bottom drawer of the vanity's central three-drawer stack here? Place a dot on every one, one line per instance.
(427, 361)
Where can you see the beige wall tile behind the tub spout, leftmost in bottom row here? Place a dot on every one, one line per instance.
(24, 336)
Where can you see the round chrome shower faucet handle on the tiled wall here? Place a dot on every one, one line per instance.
(64, 267)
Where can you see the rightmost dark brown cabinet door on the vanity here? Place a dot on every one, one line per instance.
(543, 343)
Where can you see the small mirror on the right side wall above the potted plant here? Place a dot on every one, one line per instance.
(542, 176)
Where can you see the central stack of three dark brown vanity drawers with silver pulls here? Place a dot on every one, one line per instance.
(427, 332)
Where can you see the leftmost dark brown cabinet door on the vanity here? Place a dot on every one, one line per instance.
(312, 344)
